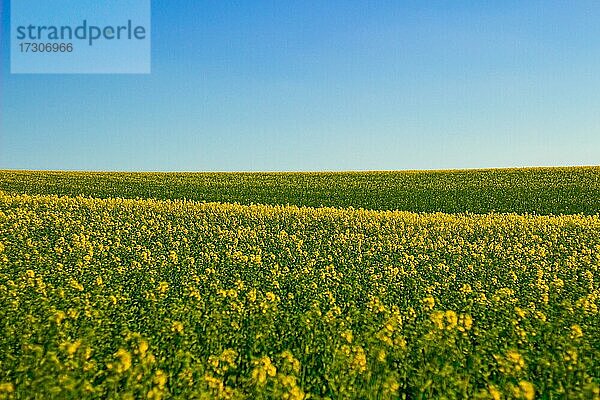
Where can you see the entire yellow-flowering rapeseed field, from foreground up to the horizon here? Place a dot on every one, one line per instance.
(159, 298)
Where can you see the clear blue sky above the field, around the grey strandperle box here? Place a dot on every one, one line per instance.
(324, 85)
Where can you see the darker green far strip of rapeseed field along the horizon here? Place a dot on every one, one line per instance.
(532, 190)
